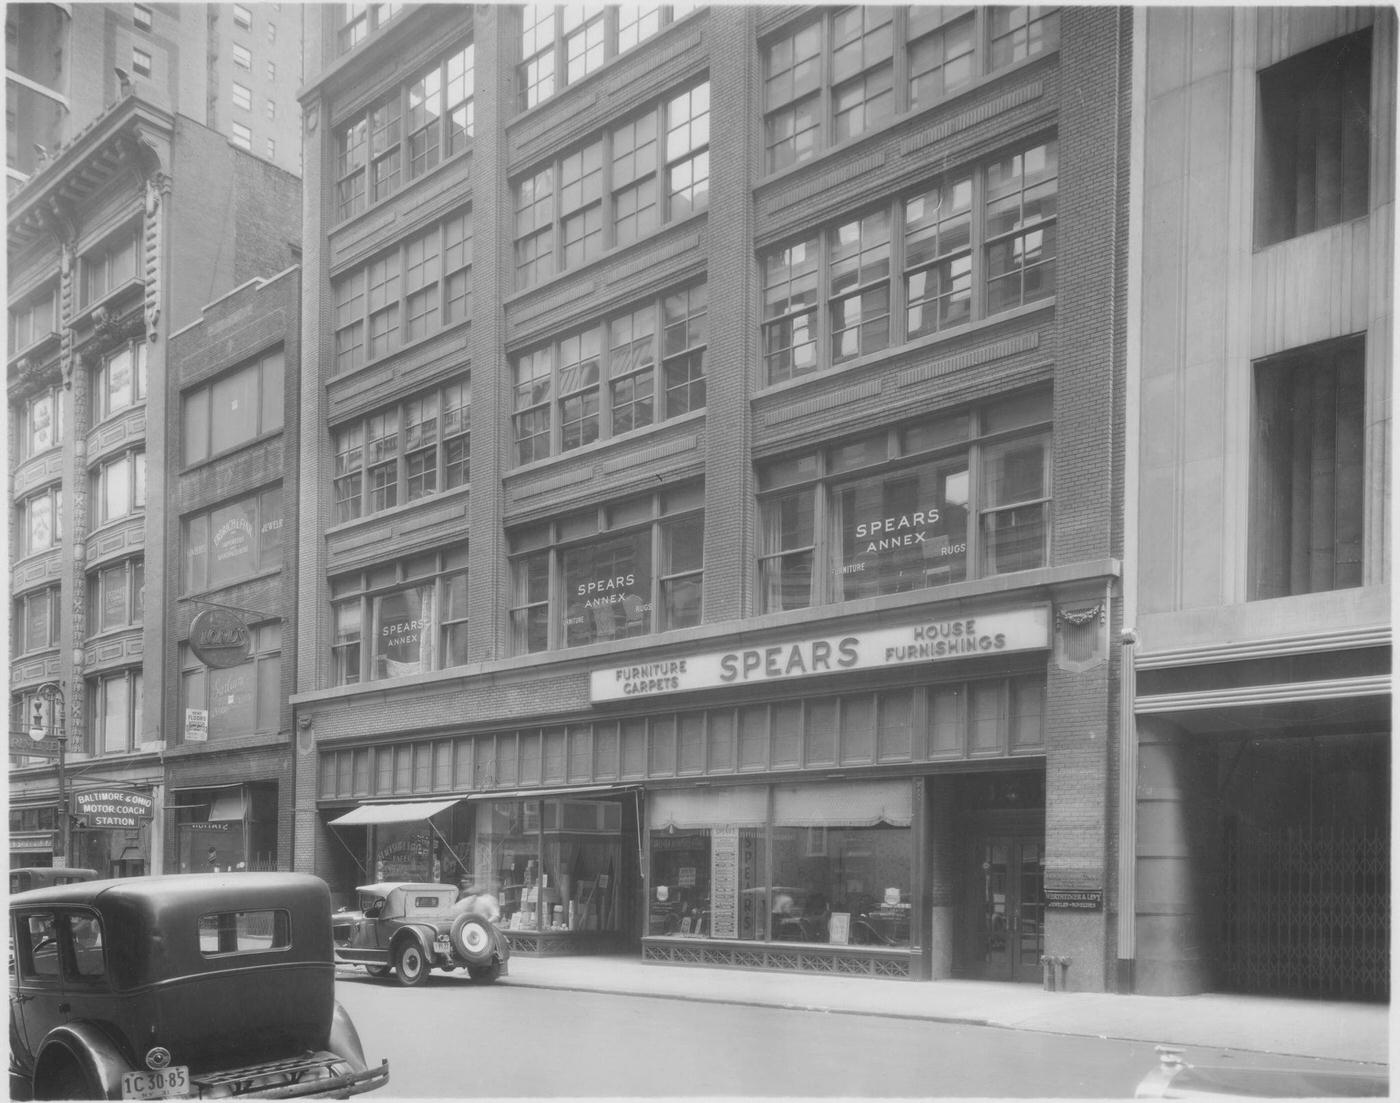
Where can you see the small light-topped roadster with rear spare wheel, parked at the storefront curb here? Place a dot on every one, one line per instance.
(414, 929)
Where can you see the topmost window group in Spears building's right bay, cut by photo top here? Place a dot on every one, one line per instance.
(849, 71)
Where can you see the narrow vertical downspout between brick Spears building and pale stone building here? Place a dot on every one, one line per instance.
(1132, 412)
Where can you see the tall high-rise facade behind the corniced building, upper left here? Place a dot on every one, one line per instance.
(233, 68)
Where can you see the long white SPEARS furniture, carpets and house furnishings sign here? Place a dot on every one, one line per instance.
(941, 640)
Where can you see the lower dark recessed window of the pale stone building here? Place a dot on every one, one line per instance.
(1310, 471)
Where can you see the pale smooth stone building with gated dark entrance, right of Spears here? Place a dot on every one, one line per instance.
(1256, 804)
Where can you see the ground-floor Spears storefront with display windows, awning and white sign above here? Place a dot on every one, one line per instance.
(884, 820)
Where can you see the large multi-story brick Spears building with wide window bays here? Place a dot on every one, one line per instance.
(712, 477)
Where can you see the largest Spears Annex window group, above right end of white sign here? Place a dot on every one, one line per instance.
(916, 506)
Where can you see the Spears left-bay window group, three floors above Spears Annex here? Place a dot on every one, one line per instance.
(407, 134)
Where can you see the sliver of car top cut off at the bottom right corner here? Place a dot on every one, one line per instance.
(1178, 1079)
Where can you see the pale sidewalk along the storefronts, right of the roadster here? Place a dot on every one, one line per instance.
(1298, 1028)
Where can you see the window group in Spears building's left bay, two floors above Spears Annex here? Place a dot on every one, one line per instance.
(418, 288)
